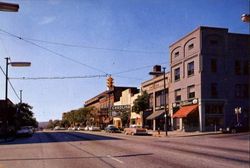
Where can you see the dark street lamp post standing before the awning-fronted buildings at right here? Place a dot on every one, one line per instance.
(164, 92)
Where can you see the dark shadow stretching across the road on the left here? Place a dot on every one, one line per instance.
(50, 137)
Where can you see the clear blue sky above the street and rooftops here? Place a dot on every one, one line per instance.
(92, 38)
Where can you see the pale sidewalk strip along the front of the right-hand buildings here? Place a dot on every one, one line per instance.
(181, 133)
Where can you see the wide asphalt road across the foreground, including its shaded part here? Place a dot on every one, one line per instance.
(94, 150)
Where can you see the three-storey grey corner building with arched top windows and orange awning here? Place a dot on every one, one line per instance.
(209, 78)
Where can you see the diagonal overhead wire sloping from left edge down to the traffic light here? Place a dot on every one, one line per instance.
(53, 52)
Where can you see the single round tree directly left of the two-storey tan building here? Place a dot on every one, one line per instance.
(141, 103)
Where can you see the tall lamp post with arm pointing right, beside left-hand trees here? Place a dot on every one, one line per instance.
(14, 64)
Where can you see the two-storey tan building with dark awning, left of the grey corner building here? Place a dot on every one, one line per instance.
(155, 88)
